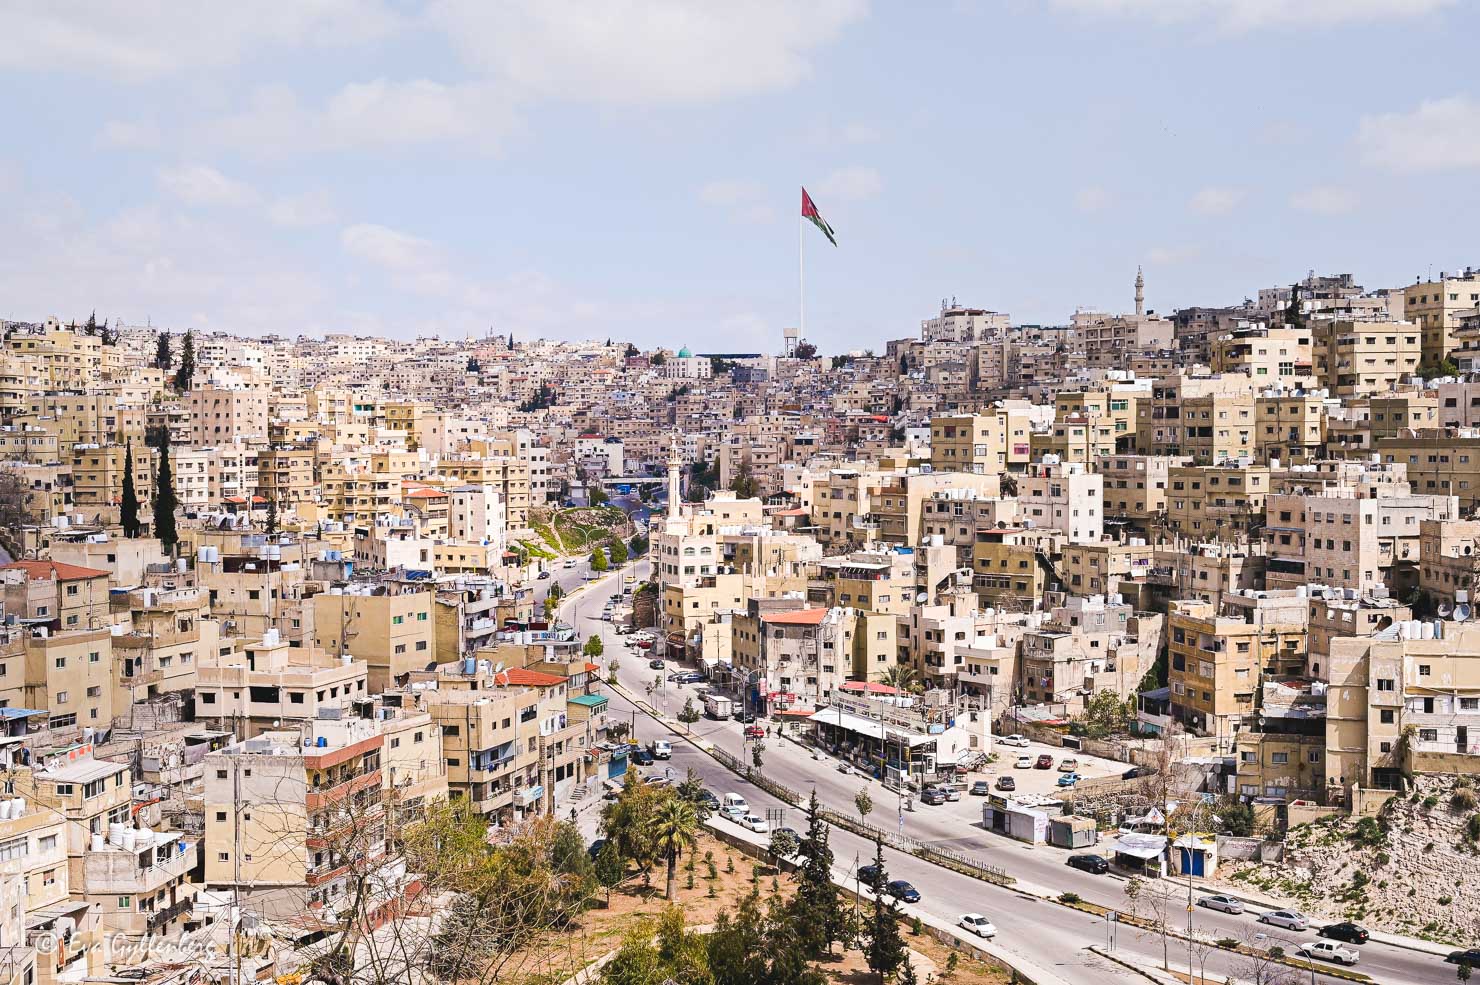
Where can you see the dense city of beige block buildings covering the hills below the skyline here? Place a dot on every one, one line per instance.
(356, 659)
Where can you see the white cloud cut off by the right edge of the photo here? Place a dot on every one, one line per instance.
(1439, 135)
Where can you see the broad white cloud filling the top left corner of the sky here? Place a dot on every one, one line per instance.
(155, 38)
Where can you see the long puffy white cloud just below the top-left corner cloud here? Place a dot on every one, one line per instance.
(377, 113)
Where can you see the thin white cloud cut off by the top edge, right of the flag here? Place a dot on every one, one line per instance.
(1238, 17)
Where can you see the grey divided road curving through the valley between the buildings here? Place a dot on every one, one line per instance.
(1020, 921)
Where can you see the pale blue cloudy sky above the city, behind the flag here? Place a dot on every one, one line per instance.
(631, 169)
